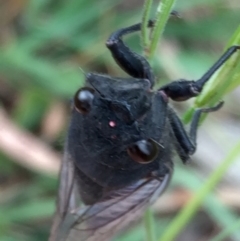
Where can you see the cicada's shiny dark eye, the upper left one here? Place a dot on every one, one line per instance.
(83, 100)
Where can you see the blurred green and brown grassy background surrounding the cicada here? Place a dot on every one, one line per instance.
(45, 45)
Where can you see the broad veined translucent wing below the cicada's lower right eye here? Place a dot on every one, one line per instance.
(99, 222)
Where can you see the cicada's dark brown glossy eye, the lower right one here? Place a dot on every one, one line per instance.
(143, 151)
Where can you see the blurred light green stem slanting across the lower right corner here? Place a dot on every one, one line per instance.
(191, 208)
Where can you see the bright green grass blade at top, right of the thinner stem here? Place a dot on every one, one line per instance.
(163, 12)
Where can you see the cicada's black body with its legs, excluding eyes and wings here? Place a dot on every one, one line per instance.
(99, 150)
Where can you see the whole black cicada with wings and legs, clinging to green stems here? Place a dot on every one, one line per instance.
(122, 133)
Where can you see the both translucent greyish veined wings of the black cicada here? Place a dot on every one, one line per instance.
(99, 222)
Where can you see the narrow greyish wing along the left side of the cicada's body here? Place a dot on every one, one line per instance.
(68, 200)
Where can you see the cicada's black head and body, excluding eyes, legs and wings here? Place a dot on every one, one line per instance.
(99, 150)
